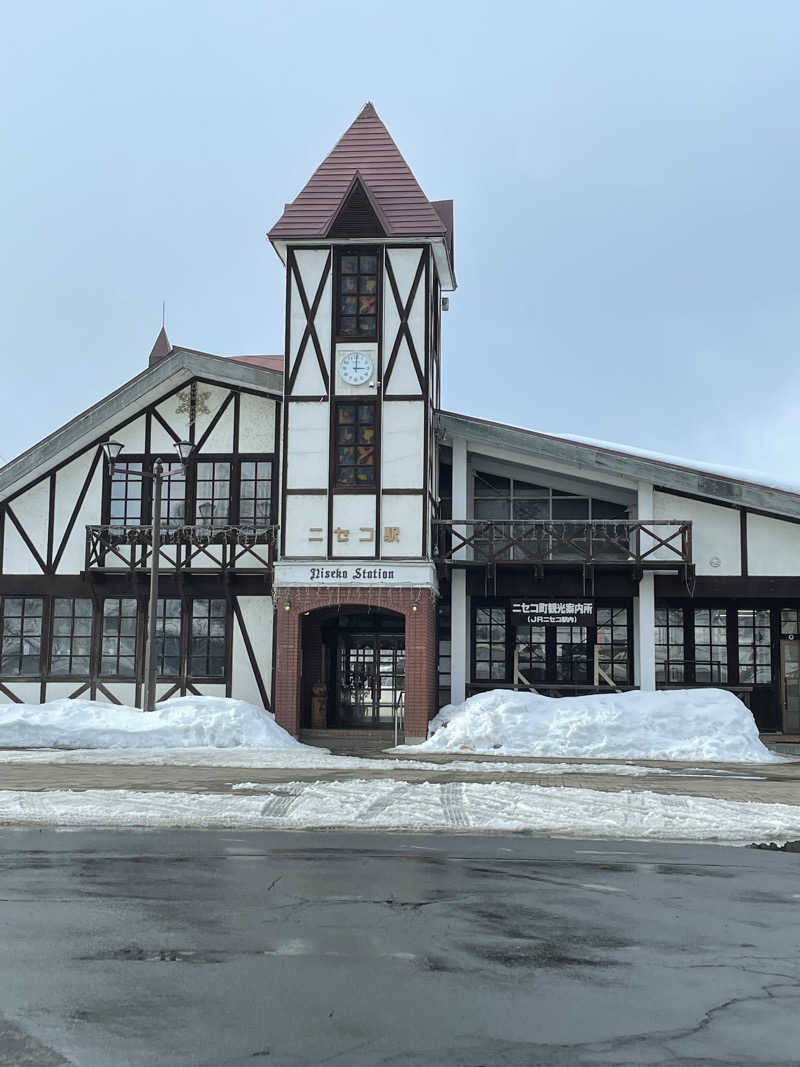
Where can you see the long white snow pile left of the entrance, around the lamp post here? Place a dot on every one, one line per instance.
(184, 723)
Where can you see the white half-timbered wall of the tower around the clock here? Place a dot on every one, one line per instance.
(391, 517)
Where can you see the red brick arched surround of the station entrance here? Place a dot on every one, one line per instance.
(421, 647)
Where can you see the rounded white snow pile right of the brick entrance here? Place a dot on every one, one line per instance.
(673, 725)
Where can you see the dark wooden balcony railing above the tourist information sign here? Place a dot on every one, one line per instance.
(651, 544)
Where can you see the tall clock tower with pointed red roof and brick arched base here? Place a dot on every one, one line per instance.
(367, 257)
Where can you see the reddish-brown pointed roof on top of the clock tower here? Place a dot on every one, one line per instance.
(366, 150)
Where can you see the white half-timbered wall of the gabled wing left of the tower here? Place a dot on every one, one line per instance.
(44, 562)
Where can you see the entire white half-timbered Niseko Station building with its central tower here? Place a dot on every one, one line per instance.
(347, 554)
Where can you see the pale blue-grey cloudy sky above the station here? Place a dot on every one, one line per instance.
(626, 178)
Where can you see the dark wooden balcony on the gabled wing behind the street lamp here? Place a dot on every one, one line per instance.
(115, 549)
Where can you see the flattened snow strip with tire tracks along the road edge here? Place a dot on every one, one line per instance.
(388, 805)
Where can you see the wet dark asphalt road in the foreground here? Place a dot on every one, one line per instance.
(217, 948)
